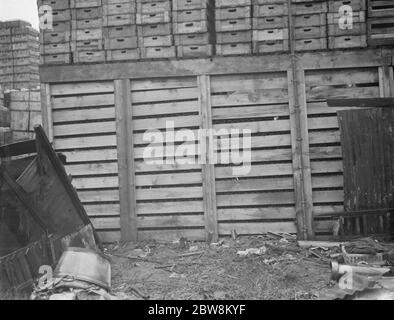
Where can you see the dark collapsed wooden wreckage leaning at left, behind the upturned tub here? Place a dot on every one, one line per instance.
(41, 214)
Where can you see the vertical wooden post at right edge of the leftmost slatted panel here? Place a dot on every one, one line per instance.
(126, 169)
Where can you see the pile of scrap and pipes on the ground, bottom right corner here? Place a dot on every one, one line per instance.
(360, 269)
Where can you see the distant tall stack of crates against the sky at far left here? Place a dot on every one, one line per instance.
(19, 55)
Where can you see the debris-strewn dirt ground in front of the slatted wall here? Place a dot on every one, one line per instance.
(194, 270)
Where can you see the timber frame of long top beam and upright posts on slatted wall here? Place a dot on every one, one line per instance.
(381, 58)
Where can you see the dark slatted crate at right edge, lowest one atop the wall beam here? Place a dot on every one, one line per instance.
(381, 31)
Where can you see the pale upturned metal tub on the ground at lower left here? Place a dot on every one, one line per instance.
(84, 265)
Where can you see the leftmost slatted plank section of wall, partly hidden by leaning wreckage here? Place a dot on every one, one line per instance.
(84, 130)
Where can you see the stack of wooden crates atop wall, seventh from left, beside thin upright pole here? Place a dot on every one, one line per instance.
(270, 26)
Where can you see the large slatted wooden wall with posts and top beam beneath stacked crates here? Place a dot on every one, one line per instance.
(97, 114)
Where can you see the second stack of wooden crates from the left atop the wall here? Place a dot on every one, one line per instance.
(87, 31)
